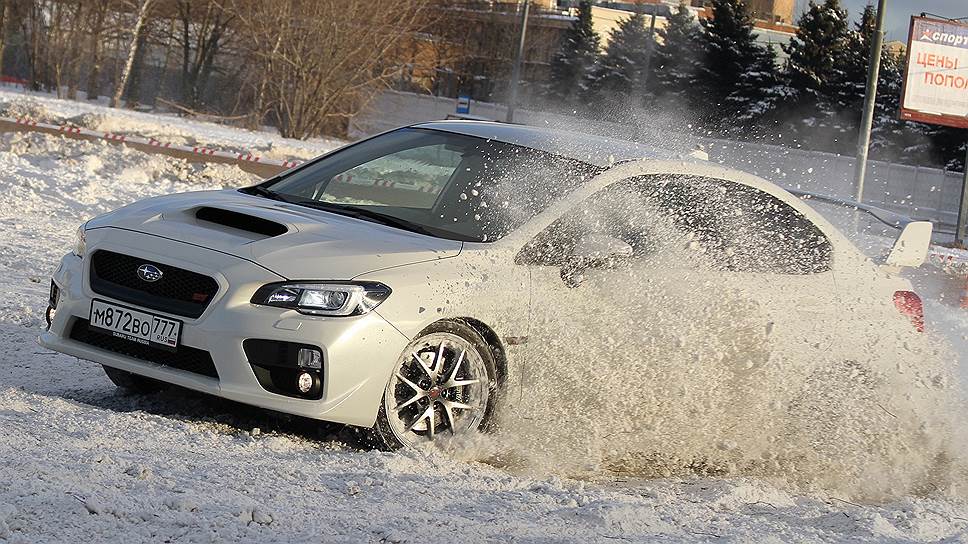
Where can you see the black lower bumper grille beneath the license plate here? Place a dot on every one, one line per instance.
(185, 358)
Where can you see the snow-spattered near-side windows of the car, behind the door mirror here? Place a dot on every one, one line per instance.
(693, 222)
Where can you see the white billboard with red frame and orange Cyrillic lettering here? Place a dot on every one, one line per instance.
(936, 80)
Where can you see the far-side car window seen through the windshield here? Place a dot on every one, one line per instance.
(411, 178)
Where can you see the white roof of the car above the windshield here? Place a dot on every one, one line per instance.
(595, 150)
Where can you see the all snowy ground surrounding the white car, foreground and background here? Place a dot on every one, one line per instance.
(80, 461)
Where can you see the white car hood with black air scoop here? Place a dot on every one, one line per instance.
(293, 241)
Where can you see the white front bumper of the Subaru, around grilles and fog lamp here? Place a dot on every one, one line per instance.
(358, 352)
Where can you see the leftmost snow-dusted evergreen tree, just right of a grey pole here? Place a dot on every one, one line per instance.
(575, 57)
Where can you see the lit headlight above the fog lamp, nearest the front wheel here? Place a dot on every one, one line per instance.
(322, 298)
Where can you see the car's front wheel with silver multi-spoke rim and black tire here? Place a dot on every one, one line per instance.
(424, 400)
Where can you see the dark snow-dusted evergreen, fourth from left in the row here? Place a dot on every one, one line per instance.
(734, 64)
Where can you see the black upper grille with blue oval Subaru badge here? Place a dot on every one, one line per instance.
(178, 291)
